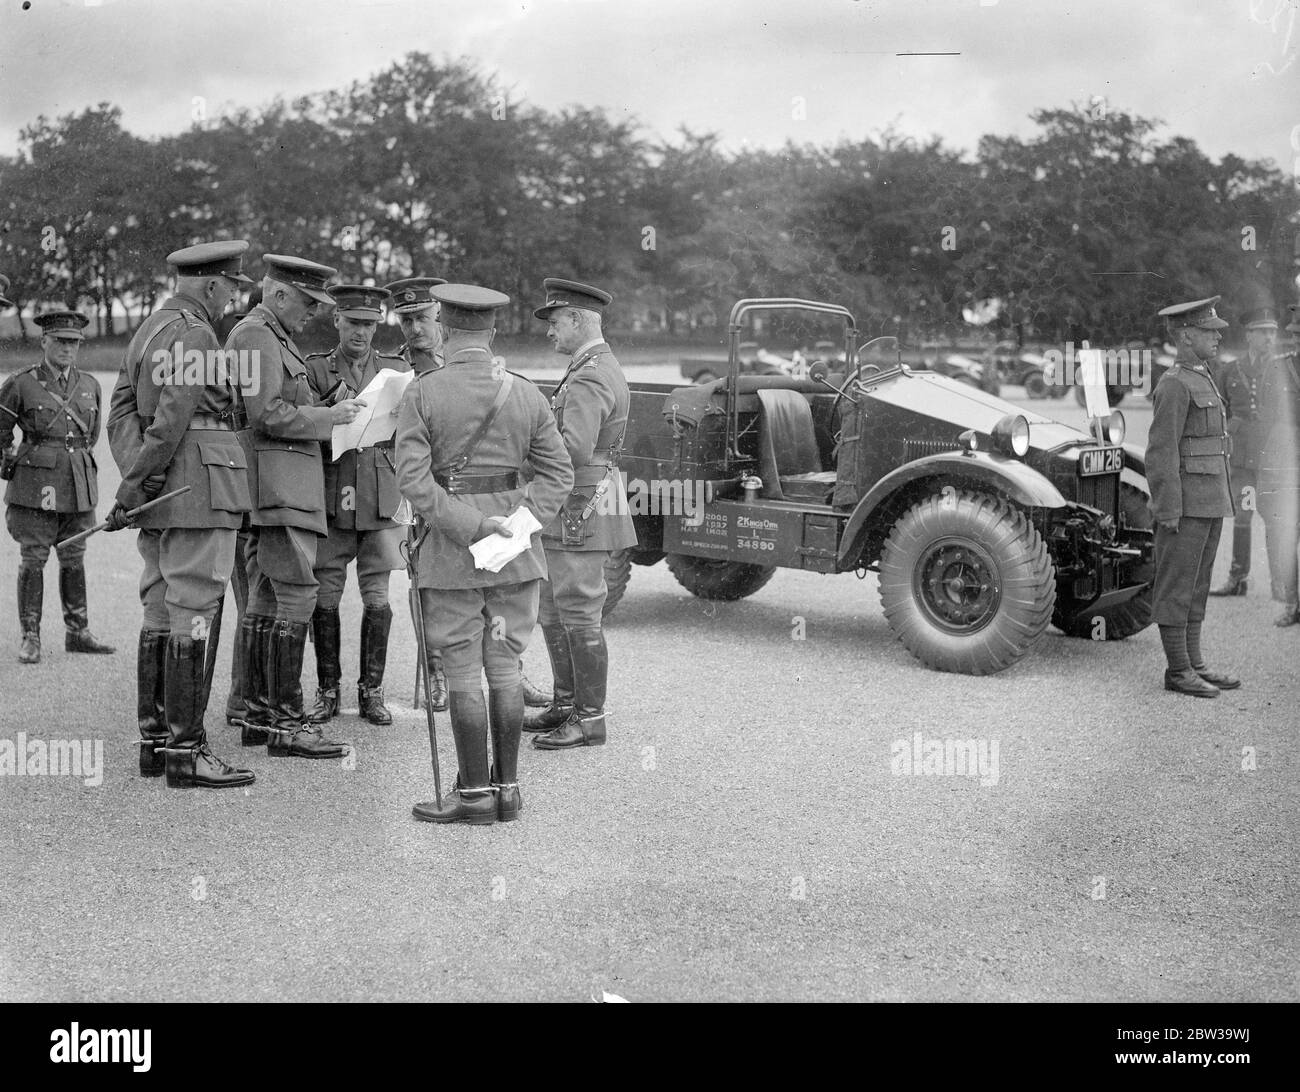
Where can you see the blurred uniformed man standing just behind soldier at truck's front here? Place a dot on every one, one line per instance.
(1240, 384)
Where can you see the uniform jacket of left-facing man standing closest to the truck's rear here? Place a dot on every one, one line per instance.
(591, 408)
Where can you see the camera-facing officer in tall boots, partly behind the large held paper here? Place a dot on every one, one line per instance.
(361, 500)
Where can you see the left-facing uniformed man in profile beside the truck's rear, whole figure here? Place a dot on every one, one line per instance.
(591, 408)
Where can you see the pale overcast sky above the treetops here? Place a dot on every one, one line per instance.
(1224, 72)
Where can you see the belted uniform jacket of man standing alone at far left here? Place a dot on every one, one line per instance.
(47, 475)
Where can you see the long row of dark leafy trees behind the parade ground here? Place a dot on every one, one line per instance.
(1084, 231)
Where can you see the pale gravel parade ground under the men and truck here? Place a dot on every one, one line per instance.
(747, 834)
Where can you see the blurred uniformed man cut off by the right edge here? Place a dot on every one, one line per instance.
(1280, 475)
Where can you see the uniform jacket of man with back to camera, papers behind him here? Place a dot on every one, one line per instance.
(440, 414)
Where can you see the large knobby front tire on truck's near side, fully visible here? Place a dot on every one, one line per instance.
(967, 583)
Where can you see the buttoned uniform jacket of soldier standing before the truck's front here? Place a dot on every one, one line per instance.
(1188, 449)
